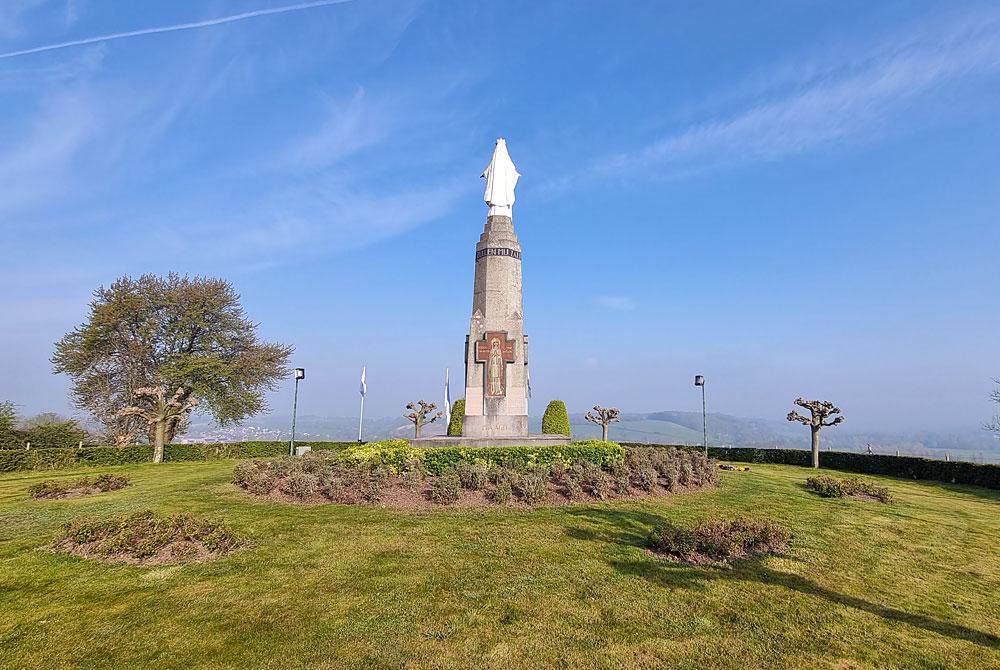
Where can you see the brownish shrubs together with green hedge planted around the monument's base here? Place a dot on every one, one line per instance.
(365, 473)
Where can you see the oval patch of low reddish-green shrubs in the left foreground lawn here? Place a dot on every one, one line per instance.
(143, 535)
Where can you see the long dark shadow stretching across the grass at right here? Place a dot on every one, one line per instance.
(632, 528)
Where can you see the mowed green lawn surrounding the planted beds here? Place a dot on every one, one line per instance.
(914, 584)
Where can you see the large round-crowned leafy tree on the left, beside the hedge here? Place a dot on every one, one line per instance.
(168, 343)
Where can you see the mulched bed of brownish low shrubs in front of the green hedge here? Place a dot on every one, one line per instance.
(319, 478)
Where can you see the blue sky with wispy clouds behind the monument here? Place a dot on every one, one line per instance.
(792, 198)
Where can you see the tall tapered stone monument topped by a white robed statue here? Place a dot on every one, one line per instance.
(496, 350)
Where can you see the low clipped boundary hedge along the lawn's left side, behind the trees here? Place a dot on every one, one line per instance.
(53, 459)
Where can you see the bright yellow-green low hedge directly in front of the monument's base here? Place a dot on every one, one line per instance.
(394, 455)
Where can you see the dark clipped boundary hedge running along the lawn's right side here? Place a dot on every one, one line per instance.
(908, 467)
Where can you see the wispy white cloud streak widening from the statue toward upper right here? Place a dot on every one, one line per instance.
(819, 107)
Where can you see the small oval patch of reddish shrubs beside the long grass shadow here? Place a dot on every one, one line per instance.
(720, 540)
